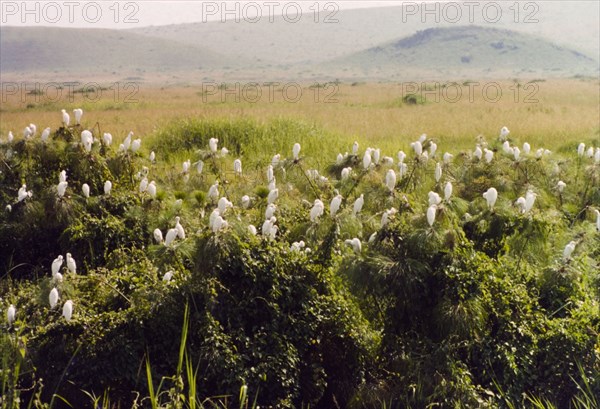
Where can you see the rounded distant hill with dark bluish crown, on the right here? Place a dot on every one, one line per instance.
(470, 51)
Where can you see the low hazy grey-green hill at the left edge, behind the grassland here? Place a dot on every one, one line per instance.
(117, 52)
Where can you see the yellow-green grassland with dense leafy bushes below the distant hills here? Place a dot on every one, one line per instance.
(236, 254)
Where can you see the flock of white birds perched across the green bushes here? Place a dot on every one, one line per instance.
(371, 159)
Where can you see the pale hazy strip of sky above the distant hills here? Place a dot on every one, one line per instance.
(130, 14)
